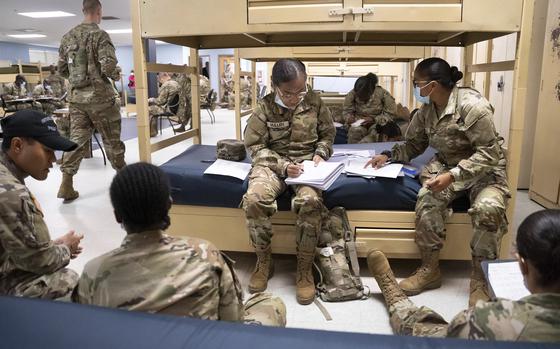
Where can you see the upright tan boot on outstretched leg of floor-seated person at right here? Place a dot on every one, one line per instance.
(378, 265)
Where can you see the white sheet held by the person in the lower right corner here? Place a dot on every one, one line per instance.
(506, 280)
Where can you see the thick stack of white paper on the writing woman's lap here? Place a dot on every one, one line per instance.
(321, 177)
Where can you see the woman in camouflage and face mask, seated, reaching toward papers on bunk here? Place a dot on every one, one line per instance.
(469, 161)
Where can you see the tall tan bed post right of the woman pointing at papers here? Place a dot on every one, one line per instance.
(520, 82)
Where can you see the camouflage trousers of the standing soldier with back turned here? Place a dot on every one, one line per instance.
(84, 119)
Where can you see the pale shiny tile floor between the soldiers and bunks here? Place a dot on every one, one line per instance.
(92, 215)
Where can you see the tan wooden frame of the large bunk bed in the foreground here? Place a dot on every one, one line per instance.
(331, 24)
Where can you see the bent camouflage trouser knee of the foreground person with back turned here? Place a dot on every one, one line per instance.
(264, 309)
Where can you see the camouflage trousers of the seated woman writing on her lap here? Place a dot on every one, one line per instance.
(259, 204)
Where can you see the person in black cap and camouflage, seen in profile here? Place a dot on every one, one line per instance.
(31, 264)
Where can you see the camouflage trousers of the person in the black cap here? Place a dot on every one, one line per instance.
(59, 284)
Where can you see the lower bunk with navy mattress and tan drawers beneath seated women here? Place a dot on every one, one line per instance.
(381, 211)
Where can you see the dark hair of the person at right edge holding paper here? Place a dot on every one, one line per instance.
(538, 240)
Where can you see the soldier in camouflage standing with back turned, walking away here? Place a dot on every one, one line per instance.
(87, 58)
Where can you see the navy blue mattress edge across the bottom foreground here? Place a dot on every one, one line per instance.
(31, 323)
